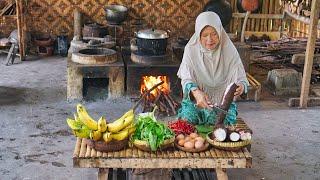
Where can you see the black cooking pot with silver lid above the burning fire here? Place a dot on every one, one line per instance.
(152, 42)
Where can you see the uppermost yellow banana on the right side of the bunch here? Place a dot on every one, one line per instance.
(121, 123)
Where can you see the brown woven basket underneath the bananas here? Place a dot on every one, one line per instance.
(107, 147)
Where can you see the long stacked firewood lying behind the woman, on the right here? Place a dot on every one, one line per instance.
(281, 50)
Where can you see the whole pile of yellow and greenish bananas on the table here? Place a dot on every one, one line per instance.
(86, 127)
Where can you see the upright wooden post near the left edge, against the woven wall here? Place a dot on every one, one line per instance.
(19, 8)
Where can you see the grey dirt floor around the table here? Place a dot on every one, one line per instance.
(35, 142)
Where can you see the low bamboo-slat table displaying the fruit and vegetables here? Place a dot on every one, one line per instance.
(220, 160)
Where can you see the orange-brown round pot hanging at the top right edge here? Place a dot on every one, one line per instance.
(253, 6)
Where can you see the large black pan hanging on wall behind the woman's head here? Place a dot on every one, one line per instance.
(222, 8)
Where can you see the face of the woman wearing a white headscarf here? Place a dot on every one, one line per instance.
(209, 38)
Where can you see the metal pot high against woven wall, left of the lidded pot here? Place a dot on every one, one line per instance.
(116, 14)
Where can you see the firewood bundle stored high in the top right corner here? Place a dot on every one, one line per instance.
(300, 7)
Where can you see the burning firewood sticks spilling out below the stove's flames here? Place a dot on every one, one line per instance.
(163, 101)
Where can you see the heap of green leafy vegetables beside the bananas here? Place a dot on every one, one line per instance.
(148, 129)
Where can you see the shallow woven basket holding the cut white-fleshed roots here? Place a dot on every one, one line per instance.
(228, 146)
